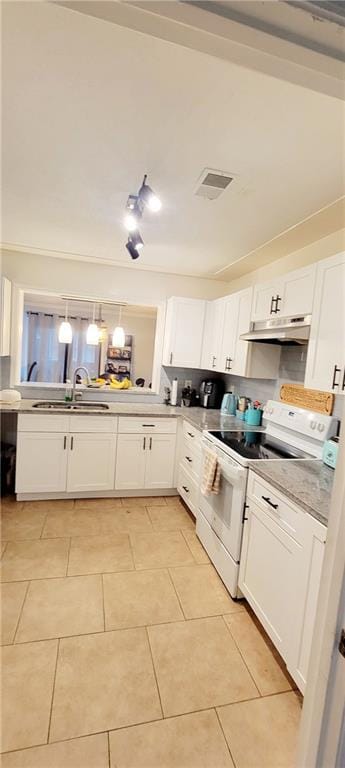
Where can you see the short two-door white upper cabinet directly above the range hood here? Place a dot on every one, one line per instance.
(291, 294)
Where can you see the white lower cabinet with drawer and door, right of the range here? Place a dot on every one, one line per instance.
(280, 572)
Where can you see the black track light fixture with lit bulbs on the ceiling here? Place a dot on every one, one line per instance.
(135, 207)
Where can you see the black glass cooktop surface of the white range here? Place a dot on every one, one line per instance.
(258, 445)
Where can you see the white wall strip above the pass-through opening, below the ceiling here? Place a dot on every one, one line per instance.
(102, 281)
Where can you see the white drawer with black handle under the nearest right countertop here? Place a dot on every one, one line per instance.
(275, 505)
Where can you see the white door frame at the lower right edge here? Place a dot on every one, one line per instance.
(321, 698)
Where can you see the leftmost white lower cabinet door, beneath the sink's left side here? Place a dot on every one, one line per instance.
(41, 462)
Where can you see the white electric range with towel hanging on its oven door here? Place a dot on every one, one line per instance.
(288, 433)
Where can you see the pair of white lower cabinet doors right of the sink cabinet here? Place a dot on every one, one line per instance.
(145, 461)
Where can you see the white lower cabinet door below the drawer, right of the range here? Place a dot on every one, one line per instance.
(269, 576)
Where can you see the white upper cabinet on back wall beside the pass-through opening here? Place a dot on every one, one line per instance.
(184, 330)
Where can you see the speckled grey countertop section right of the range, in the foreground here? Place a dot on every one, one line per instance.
(307, 483)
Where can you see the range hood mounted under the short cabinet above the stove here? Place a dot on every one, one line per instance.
(280, 330)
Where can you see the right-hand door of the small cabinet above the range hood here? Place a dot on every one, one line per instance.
(298, 293)
